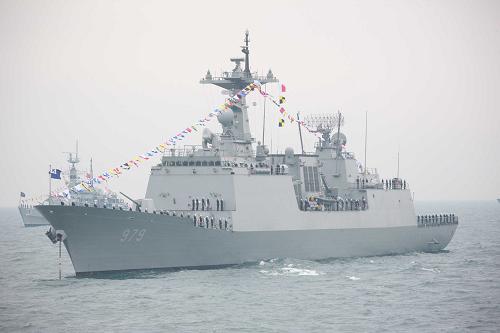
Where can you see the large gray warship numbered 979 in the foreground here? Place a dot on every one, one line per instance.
(231, 201)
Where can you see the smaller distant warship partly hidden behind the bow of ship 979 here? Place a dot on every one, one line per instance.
(31, 216)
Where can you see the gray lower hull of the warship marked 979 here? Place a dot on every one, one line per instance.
(99, 240)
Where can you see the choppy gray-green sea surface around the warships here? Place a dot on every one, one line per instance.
(455, 290)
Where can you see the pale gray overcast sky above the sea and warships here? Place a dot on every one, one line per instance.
(121, 76)
